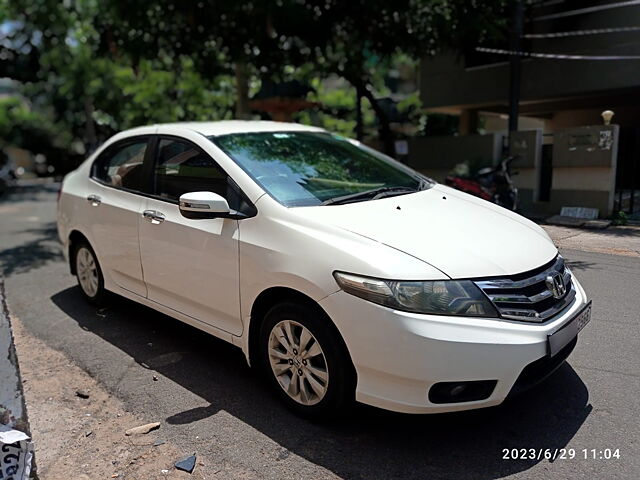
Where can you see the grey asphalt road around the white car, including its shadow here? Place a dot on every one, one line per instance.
(212, 403)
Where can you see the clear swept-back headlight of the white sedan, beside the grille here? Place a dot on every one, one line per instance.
(439, 297)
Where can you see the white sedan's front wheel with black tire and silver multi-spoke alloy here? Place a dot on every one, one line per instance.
(315, 380)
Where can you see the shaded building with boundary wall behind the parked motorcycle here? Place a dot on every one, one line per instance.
(559, 96)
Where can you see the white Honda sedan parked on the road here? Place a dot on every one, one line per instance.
(340, 272)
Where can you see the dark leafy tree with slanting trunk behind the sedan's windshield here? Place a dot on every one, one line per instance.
(357, 39)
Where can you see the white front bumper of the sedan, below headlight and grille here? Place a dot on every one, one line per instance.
(399, 356)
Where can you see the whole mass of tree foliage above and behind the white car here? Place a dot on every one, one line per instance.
(97, 66)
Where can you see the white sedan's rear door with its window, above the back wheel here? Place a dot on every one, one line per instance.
(114, 202)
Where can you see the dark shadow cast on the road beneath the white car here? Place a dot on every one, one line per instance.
(369, 443)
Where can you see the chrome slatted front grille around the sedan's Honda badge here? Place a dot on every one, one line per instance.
(528, 296)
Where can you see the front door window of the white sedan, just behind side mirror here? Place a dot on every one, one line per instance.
(182, 167)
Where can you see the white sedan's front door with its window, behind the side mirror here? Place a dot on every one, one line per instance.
(190, 266)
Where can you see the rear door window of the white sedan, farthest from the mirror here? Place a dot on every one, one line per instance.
(121, 166)
